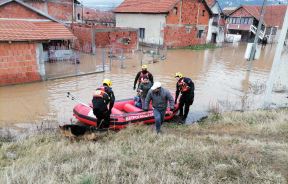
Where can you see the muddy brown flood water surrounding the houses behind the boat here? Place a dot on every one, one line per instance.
(220, 75)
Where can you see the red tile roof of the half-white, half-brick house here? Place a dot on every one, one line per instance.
(146, 6)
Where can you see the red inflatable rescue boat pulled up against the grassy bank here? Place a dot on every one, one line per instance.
(123, 113)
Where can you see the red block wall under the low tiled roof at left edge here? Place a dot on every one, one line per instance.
(18, 63)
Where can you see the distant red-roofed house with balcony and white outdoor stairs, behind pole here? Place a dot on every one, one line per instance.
(243, 22)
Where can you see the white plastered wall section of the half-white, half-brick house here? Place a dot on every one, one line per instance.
(153, 24)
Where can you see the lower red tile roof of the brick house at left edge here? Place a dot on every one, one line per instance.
(18, 30)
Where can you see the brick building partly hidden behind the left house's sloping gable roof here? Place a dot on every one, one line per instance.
(63, 10)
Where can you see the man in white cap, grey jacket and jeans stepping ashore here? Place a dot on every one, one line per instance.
(160, 97)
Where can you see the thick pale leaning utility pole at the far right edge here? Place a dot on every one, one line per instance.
(276, 62)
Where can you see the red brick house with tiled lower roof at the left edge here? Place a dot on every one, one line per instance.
(25, 35)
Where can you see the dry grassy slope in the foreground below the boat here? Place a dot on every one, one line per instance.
(247, 147)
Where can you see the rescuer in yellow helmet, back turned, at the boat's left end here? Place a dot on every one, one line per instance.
(102, 97)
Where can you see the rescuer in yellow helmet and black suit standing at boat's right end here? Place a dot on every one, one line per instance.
(186, 86)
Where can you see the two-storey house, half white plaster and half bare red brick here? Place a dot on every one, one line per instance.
(174, 23)
